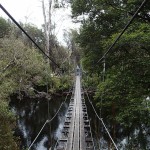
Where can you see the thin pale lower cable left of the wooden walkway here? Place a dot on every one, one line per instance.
(48, 121)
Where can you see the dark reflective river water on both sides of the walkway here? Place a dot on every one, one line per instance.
(32, 114)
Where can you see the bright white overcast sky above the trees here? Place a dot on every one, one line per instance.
(30, 11)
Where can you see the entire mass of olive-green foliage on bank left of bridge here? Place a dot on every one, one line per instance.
(22, 69)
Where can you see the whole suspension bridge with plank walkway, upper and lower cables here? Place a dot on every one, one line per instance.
(76, 133)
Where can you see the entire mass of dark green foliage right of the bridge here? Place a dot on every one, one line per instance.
(123, 96)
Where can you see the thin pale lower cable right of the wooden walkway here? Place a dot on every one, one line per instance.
(101, 121)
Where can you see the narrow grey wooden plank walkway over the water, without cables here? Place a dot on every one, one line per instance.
(76, 133)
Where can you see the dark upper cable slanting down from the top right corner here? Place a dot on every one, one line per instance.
(125, 28)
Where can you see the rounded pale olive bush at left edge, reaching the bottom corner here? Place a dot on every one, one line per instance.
(19, 66)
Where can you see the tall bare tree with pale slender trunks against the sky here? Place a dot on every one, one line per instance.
(51, 45)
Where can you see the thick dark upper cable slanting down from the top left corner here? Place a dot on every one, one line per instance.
(19, 26)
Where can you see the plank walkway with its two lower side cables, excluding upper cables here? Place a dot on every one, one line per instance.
(76, 133)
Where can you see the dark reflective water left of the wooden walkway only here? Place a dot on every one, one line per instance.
(31, 116)
